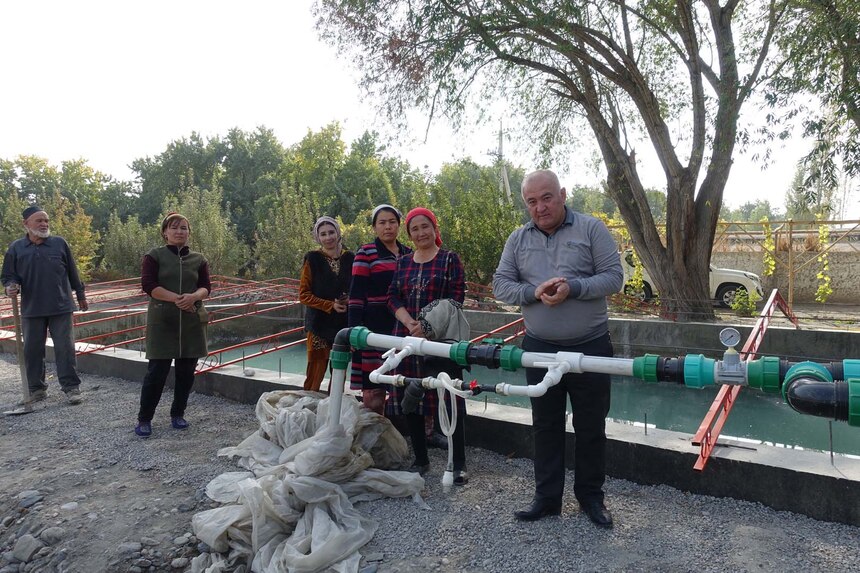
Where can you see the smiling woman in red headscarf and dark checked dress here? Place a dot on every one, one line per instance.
(428, 274)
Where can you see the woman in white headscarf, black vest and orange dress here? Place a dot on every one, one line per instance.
(323, 289)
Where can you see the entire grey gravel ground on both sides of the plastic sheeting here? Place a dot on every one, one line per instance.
(82, 493)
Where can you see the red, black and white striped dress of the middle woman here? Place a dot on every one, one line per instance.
(372, 270)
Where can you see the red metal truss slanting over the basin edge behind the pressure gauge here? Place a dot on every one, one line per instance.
(712, 424)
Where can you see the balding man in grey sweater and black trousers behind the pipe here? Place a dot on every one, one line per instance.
(559, 268)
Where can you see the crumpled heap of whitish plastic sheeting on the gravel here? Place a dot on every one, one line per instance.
(293, 510)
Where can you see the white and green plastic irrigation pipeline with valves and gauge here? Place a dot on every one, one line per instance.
(829, 389)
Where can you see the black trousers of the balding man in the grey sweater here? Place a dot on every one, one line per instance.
(589, 395)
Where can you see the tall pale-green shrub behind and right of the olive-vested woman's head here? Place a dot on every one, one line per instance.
(212, 233)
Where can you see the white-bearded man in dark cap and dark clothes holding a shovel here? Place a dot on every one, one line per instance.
(42, 269)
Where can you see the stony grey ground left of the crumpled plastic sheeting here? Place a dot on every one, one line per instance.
(108, 500)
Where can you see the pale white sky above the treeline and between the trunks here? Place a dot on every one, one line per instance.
(113, 81)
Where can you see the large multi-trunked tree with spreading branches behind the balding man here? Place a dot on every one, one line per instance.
(669, 71)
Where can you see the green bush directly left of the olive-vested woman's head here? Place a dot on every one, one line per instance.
(125, 243)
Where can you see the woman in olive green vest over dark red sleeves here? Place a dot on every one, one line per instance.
(176, 280)
